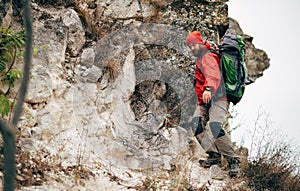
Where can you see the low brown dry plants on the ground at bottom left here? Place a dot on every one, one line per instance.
(35, 170)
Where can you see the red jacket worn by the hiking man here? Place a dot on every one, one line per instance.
(207, 74)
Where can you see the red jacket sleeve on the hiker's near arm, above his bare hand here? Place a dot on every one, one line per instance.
(211, 71)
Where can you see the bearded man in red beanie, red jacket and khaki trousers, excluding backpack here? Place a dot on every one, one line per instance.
(212, 111)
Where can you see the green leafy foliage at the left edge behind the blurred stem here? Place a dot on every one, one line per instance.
(11, 44)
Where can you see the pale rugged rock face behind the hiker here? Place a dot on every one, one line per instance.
(112, 82)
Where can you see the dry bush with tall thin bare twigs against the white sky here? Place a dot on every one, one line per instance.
(275, 164)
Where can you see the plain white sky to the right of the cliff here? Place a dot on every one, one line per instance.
(274, 24)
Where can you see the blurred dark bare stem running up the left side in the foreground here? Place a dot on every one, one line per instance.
(8, 129)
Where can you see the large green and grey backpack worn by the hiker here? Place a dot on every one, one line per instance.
(233, 67)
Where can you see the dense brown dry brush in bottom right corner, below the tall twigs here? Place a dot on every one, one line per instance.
(276, 169)
